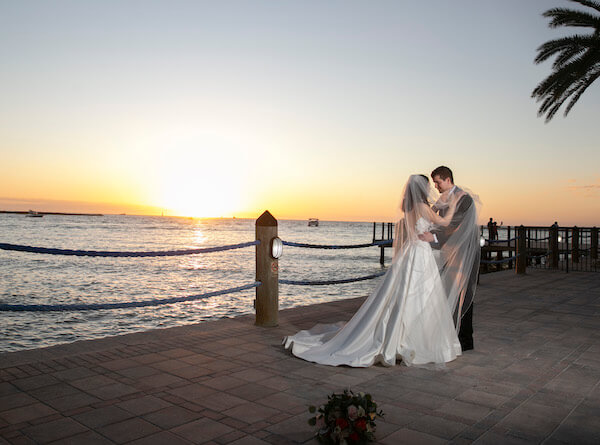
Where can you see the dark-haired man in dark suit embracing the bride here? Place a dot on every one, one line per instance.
(444, 182)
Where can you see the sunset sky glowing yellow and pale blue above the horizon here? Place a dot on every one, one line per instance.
(306, 108)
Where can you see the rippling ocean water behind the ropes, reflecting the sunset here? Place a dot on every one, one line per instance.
(29, 278)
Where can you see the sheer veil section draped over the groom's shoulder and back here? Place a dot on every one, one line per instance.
(460, 255)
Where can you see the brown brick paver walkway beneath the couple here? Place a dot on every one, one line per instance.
(533, 378)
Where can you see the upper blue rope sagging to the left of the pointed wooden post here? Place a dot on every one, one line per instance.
(98, 253)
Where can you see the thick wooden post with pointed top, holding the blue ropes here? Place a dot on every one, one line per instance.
(267, 272)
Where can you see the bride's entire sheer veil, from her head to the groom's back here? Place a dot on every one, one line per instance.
(459, 251)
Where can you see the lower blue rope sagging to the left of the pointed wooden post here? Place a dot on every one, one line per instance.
(125, 305)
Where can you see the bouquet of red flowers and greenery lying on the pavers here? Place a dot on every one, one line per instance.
(346, 418)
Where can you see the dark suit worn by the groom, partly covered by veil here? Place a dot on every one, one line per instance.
(465, 334)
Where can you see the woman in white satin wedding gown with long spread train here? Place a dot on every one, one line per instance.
(408, 316)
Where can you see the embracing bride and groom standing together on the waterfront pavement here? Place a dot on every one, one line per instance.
(421, 312)
